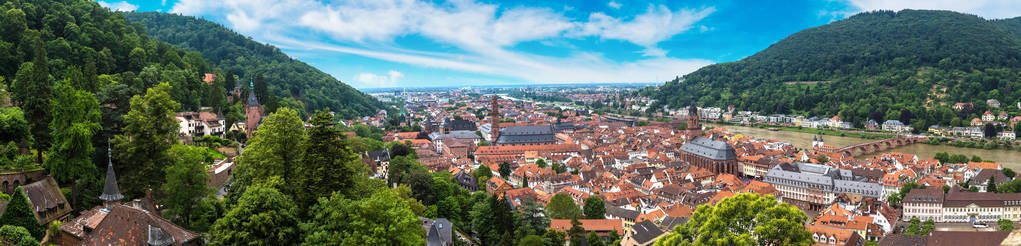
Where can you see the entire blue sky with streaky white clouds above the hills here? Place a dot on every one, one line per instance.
(423, 43)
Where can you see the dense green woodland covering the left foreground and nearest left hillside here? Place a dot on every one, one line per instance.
(84, 90)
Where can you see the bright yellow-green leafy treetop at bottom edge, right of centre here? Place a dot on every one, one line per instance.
(743, 220)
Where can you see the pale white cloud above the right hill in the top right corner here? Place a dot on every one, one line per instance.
(985, 9)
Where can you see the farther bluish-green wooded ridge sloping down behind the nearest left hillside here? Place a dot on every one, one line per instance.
(290, 82)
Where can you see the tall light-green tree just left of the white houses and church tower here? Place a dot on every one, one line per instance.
(150, 133)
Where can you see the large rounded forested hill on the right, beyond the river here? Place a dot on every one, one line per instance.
(910, 66)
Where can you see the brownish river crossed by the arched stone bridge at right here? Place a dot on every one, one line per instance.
(1009, 159)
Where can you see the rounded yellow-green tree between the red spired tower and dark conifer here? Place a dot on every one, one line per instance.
(275, 152)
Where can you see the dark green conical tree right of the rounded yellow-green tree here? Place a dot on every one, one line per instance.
(328, 164)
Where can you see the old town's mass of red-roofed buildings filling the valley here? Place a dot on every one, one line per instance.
(653, 177)
